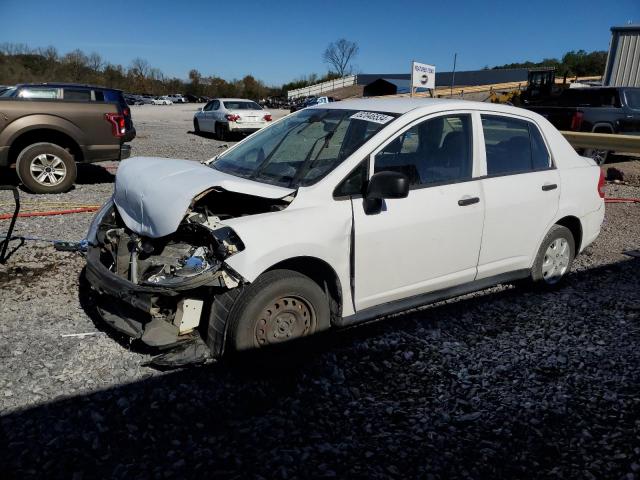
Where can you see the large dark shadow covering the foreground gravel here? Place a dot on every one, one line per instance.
(513, 384)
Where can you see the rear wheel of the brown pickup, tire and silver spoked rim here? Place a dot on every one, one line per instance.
(34, 161)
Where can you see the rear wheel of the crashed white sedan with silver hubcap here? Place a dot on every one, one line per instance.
(551, 275)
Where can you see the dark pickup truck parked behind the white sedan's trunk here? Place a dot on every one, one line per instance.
(595, 109)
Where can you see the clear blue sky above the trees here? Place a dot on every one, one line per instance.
(280, 40)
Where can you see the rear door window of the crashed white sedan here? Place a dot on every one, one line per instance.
(513, 146)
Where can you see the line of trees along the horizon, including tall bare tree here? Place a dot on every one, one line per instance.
(20, 64)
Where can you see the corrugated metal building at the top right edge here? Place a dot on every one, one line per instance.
(623, 62)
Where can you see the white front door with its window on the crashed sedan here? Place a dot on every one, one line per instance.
(431, 239)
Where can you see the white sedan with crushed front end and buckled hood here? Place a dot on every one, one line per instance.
(336, 215)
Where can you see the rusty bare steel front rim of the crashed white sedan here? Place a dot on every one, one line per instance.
(285, 318)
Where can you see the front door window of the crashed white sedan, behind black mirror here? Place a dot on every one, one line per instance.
(436, 151)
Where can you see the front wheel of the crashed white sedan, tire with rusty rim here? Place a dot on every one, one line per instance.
(281, 305)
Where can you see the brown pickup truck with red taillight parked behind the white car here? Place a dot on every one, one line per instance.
(46, 128)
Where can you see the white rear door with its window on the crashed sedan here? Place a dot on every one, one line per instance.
(521, 191)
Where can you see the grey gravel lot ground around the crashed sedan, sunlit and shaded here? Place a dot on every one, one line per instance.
(505, 383)
